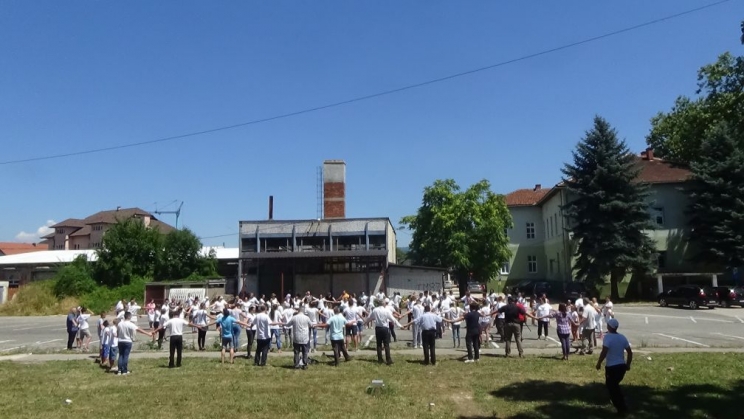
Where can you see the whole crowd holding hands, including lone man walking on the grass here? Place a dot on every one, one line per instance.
(296, 321)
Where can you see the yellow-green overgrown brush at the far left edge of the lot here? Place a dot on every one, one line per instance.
(37, 299)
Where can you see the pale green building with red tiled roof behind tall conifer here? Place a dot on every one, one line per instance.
(541, 240)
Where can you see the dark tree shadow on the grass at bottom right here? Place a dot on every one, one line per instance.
(566, 400)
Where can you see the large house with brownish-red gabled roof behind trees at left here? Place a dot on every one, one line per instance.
(87, 233)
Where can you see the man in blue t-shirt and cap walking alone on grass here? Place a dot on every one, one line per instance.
(613, 347)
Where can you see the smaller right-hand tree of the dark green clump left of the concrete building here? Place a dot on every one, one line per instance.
(180, 257)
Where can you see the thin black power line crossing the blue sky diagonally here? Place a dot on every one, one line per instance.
(370, 96)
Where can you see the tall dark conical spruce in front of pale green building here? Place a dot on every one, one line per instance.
(607, 209)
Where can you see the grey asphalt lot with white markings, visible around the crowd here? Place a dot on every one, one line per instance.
(645, 326)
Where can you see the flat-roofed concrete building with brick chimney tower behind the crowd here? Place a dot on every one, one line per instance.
(331, 254)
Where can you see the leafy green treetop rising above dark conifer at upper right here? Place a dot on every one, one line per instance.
(678, 135)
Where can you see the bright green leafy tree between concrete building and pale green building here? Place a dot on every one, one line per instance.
(464, 231)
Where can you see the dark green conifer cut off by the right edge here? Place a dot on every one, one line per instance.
(717, 201)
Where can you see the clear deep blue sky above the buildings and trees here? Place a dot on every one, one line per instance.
(79, 75)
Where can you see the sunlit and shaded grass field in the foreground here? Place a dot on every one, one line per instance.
(696, 386)
